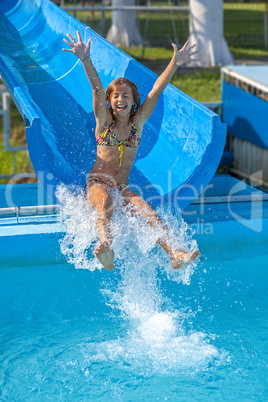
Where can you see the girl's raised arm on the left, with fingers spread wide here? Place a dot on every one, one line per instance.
(82, 51)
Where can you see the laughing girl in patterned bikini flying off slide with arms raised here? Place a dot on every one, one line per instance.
(118, 132)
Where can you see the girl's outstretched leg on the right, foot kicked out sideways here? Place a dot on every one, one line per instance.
(178, 257)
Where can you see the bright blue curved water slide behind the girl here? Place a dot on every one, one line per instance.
(182, 142)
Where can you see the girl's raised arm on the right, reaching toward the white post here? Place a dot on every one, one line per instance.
(179, 57)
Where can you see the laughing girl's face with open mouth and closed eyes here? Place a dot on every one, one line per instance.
(121, 100)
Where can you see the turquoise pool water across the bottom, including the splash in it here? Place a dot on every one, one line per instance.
(138, 333)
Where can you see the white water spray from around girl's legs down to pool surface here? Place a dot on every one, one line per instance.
(155, 338)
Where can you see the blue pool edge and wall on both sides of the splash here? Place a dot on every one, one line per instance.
(222, 224)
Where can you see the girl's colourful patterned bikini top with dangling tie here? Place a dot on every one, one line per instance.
(108, 138)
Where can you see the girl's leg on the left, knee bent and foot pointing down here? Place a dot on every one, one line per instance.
(100, 199)
